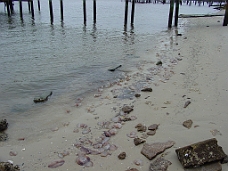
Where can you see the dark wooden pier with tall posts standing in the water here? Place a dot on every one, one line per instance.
(10, 8)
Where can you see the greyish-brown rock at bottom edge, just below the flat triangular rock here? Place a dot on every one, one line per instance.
(159, 164)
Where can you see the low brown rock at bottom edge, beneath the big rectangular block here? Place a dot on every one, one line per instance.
(207, 167)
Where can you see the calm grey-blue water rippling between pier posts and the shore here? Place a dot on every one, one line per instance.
(69, 58)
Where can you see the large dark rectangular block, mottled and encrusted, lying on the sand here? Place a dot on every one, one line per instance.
(200, 153)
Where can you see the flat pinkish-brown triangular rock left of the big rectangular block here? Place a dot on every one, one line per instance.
(152, 150)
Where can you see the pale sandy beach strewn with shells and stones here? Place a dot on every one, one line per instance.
(194, 68)
